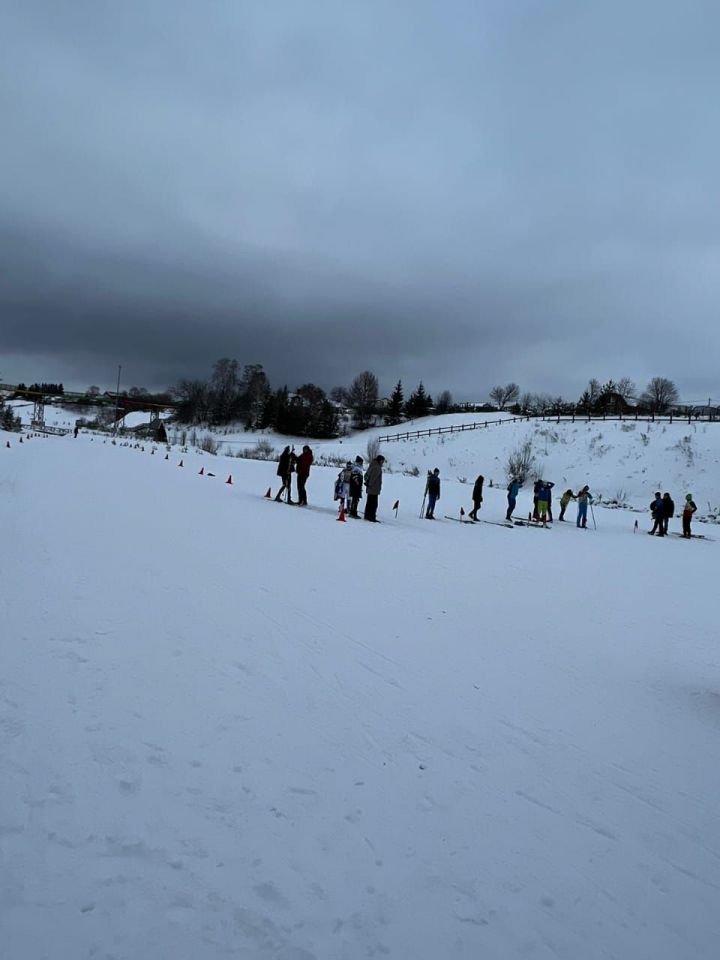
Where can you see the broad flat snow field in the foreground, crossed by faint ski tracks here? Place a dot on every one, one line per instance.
(234, 728)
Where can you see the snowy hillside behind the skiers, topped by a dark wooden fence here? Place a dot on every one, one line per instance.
(625, 461)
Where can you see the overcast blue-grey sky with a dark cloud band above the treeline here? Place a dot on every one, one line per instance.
(461, 191)
